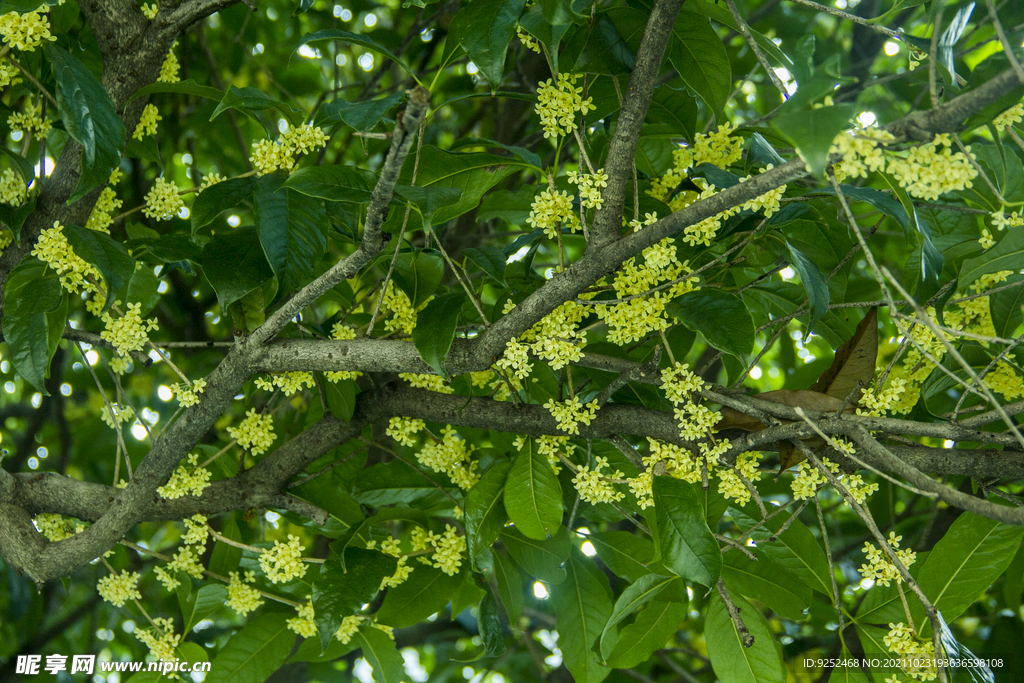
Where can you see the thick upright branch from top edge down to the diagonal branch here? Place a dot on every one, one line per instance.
(609, 220)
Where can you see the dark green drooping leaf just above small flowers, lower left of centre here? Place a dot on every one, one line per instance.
(337, 593)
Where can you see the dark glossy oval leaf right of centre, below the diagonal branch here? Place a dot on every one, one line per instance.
(720, 317)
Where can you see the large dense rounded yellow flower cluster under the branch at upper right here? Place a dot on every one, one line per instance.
(932, 169)
